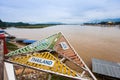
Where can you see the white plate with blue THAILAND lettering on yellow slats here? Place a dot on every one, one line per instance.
(42, 61)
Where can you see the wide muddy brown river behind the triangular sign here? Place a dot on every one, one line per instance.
(90, 42)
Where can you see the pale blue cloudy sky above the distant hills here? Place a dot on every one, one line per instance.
(64, 11)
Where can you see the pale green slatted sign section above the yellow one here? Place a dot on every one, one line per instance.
(46, 43)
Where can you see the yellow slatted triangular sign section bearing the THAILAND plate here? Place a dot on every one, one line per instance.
(46, 62)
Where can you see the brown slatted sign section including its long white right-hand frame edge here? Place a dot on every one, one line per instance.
(64, 48)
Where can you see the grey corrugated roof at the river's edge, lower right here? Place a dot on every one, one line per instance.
(106, 68)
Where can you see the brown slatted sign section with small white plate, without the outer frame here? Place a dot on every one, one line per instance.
(63, 47)
